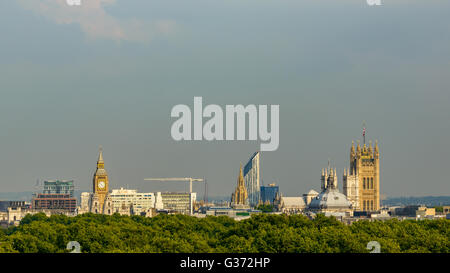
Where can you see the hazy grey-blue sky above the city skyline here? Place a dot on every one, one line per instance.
(108, 73)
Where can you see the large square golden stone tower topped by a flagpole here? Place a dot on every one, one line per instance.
(362, 180)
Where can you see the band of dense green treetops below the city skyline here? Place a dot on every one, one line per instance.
(260, 233)
